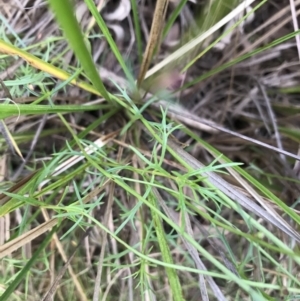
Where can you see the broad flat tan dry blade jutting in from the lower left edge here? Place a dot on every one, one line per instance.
(25, 238)
